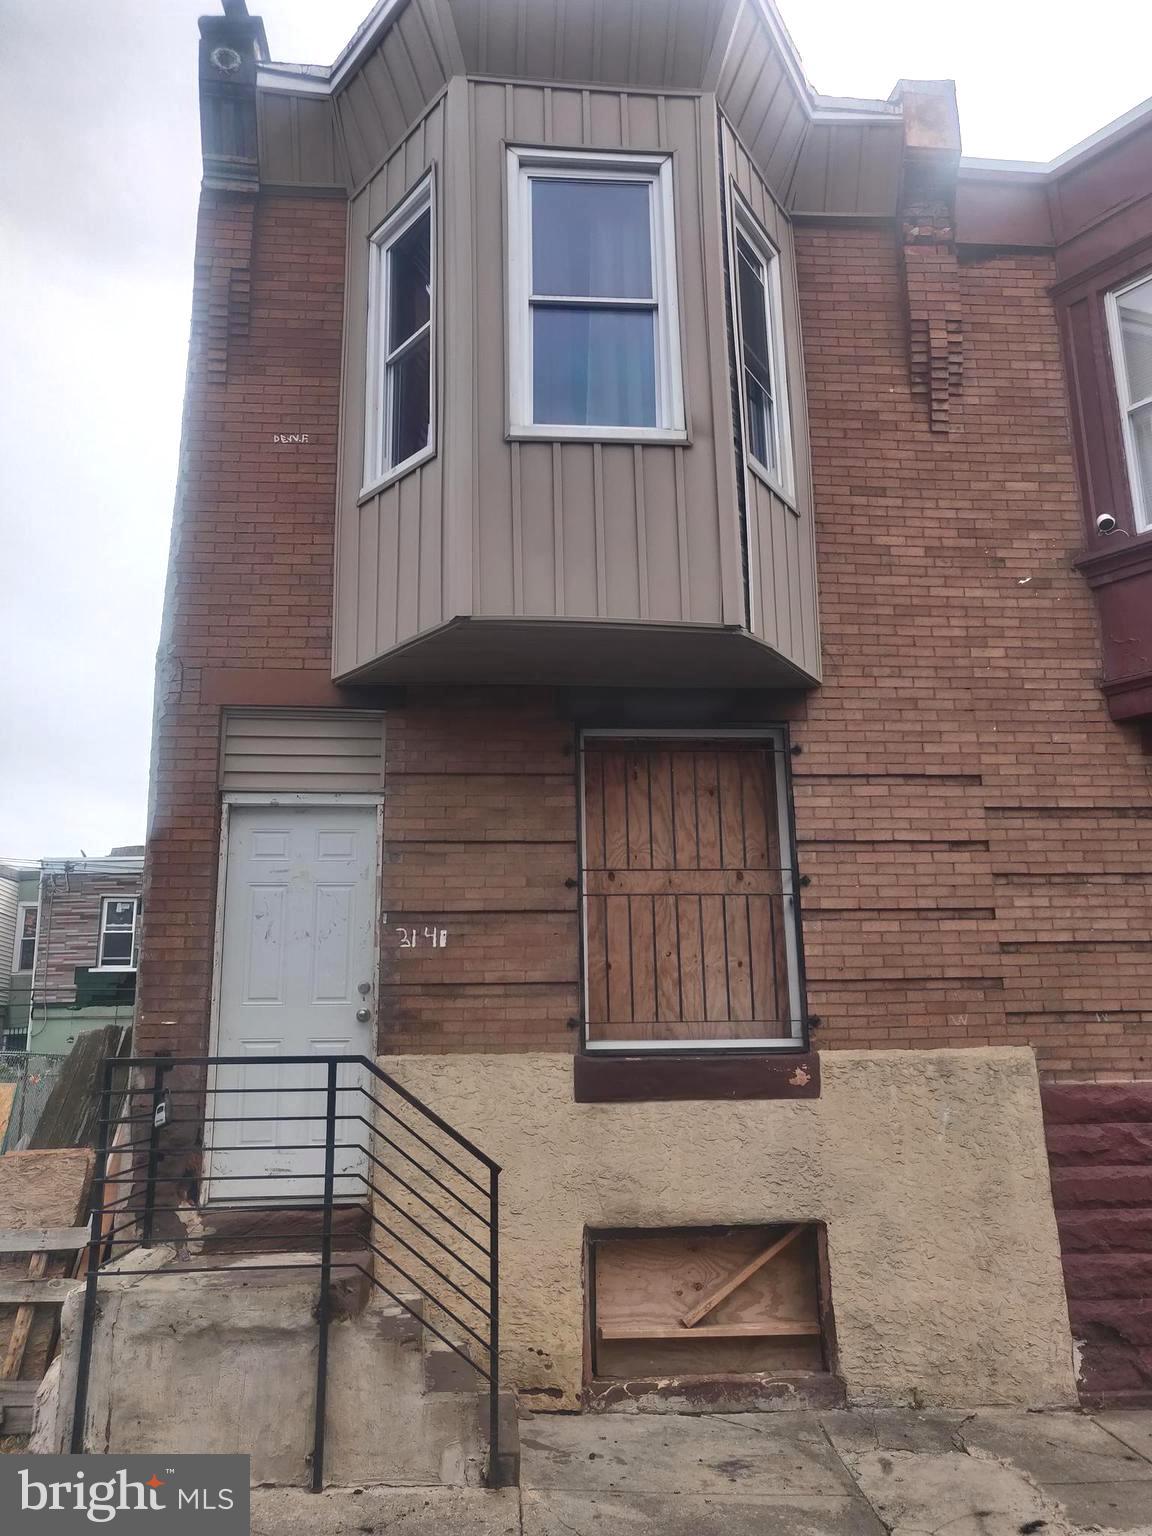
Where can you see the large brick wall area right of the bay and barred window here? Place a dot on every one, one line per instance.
(979, 833)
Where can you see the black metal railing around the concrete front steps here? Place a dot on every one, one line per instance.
(326, 1154)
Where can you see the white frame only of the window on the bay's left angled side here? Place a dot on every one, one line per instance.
(379, 471)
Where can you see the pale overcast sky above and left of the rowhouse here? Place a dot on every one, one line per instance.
(99, 179)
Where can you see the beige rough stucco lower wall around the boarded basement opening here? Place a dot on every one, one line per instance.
(929, 1168)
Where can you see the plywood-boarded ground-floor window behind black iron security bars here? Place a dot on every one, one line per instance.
(687, 895)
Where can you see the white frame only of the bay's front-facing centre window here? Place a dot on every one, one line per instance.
(657, 171)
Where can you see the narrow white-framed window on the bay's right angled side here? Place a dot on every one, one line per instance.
(760, 328)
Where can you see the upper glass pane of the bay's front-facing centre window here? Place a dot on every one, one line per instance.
(591, 239)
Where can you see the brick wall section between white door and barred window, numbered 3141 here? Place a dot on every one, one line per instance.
(480, 836)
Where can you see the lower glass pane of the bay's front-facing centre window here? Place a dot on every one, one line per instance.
(595, 368)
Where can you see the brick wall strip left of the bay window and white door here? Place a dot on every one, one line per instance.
(251, 566)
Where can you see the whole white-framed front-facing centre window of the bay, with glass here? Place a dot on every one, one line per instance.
(594, 322)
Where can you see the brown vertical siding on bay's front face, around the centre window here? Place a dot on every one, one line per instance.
(606, 531)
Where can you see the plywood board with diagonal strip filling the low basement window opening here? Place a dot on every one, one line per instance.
(647, 1283)
